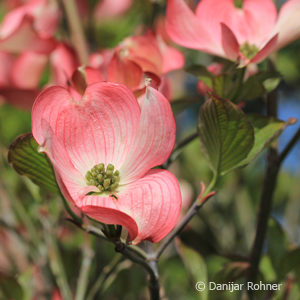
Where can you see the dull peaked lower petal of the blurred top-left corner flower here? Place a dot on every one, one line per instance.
(25, 38)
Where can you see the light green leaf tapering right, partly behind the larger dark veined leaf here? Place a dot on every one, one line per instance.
(266, 130)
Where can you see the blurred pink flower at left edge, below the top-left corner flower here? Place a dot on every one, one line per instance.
(21, 76)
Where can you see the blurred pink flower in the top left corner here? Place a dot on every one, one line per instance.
(30, 27)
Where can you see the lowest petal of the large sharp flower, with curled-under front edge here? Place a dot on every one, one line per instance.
(148, 207)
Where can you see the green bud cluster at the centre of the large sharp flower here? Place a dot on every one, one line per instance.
(106, 180)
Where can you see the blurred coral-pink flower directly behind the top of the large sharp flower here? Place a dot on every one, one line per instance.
(143, 56)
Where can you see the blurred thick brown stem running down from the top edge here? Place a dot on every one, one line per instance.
(76, 28)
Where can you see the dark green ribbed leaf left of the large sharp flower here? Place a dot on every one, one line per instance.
(26, 160)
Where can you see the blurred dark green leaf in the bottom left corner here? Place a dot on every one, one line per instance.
(10, 288)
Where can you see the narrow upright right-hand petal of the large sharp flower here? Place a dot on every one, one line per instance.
(155, 137)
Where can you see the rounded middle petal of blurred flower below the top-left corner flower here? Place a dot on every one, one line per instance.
(27, 70)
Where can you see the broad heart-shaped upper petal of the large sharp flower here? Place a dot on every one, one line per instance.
(100, 128)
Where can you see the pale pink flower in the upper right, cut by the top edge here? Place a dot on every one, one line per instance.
(239, 30)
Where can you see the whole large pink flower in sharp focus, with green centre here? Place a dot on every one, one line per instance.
(103, 148)
